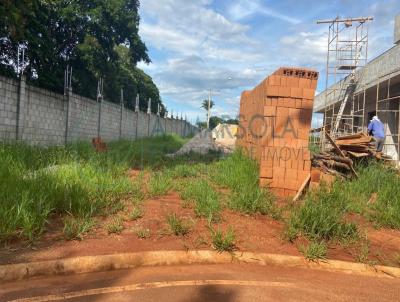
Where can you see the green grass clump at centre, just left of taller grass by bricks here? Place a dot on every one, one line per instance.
(204, 197)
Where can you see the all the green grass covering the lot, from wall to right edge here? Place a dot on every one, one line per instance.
(78, 185)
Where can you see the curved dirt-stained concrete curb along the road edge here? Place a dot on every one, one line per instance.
(91, 264)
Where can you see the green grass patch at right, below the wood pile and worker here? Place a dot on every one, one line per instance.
(375, 194)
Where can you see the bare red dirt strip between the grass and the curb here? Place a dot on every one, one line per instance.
(253, 233)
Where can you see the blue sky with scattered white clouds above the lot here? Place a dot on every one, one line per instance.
(230, 46)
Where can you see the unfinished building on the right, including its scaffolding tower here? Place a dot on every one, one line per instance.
(356, 89)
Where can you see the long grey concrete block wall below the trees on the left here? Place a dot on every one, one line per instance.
(42, 117)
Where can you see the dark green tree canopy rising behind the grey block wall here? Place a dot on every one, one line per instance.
(96, 38)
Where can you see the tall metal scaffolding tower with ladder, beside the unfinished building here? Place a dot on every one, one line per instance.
(347, 52)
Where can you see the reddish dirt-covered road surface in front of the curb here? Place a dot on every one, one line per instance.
(233, 282)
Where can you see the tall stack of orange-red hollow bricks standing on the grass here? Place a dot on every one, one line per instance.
(275, 120)
